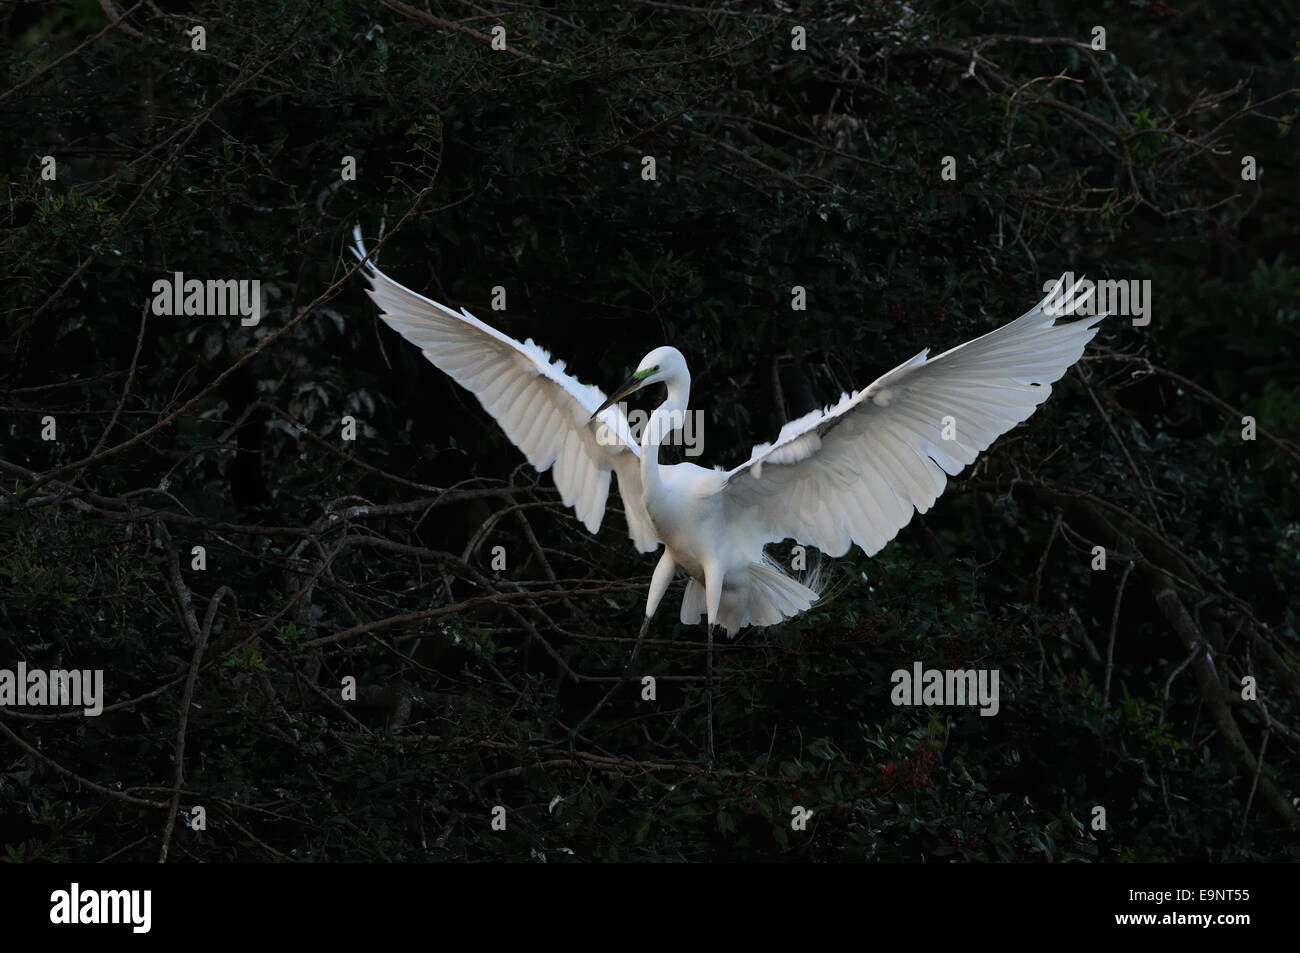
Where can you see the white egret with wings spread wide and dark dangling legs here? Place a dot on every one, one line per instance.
(852, 474)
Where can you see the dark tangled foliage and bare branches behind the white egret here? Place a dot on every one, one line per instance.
(523, 168)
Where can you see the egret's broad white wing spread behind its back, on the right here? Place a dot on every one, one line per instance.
(855, 473)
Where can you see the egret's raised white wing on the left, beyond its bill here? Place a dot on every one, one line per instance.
(543, 410)
